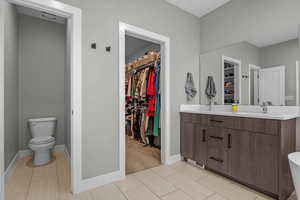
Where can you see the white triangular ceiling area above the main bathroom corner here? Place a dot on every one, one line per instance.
(198, 8)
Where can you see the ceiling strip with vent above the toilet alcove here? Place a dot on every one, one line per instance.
(40, 14)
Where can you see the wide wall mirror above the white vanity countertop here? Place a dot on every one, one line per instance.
(247, 74)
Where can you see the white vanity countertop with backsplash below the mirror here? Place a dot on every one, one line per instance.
(274, 112)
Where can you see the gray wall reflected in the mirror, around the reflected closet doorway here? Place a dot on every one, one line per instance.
(211, 65)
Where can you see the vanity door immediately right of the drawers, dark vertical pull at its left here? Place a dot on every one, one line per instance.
(239, 155)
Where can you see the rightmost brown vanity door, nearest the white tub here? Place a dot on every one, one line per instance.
(265, 162)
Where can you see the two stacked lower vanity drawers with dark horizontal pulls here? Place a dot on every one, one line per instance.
(217, 149)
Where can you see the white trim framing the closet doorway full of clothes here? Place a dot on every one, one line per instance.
(126, 29)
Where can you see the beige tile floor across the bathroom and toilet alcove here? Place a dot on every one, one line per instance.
(180, 181)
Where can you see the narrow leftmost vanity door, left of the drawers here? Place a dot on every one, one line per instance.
(200, 144)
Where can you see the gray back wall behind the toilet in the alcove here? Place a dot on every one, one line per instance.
(42, 63)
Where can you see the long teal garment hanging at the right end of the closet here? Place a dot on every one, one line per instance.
(157, 100)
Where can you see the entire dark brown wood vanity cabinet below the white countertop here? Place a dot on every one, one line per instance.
(250, 151)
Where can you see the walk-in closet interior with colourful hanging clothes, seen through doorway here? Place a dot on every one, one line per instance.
(143, 105)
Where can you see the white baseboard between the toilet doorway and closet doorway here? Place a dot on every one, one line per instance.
(88, 184)
